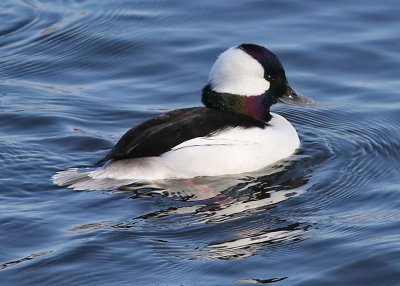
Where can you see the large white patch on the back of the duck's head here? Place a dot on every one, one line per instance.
(237, 72)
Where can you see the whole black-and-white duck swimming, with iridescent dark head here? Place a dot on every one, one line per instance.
(234, 133)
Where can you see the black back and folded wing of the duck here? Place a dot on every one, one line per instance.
(163, 132)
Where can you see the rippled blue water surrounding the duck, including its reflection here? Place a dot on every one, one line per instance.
(75, 75)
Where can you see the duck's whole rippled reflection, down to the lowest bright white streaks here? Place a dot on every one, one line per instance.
(199, 207)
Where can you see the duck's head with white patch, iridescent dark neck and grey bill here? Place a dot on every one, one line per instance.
(248, 79)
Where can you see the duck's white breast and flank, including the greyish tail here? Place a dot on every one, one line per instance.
(233, 151)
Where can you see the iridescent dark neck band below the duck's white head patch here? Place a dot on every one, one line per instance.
(256, 107)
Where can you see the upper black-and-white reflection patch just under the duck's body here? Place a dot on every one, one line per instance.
(228, 197)
